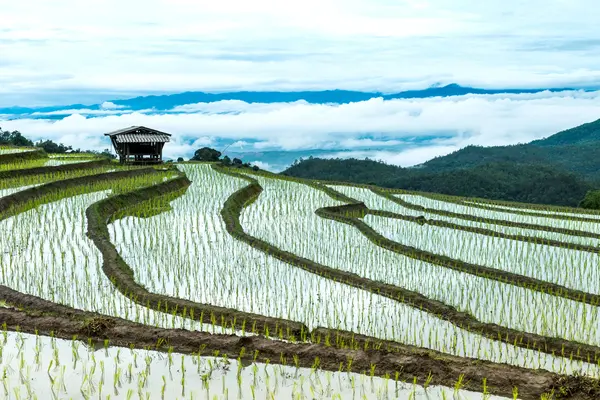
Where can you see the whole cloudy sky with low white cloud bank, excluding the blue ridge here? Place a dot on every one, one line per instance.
(67, 52)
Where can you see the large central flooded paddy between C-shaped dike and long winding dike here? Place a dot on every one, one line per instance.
(200, 263)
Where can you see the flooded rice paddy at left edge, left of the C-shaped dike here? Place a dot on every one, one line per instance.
(48, 255)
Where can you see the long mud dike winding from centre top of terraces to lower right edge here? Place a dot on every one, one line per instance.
(555, 346)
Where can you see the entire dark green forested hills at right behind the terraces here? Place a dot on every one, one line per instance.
(558, 170)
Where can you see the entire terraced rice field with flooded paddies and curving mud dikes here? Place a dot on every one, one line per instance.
(198, 281)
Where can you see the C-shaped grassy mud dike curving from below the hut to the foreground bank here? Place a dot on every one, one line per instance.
(120, 273)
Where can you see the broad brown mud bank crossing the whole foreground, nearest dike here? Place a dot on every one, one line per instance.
(403, 363)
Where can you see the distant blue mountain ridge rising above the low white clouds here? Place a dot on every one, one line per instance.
(169, 101)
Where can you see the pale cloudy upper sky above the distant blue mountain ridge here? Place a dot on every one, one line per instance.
(166, 45)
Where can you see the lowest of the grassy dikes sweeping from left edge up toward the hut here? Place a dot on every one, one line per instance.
(13, 201)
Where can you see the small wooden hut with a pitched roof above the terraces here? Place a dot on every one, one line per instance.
(138, 144)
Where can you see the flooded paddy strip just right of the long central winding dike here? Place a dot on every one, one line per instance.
(284, 215)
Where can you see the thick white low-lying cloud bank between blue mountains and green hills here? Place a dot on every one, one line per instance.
(403, 132)
